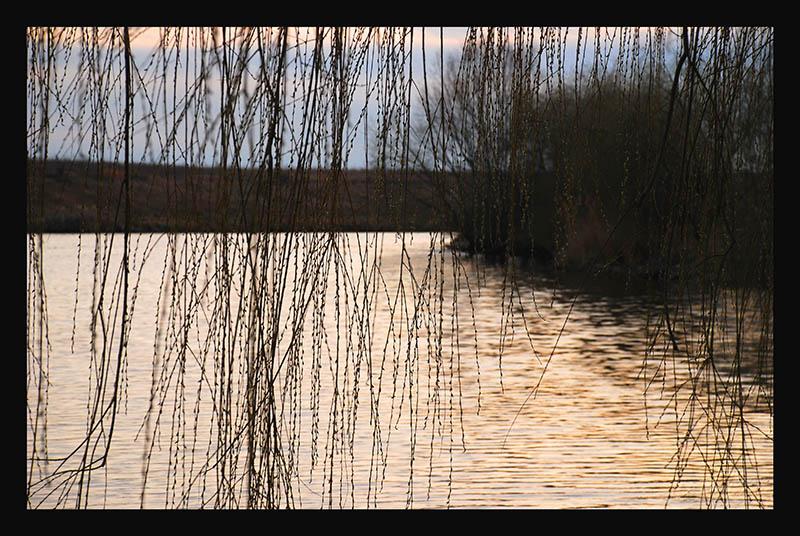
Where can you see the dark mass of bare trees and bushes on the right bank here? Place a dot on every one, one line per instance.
(662, 164)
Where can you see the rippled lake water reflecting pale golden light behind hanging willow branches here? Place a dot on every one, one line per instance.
(405, 375)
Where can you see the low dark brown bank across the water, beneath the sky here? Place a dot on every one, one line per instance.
(85, 197)
